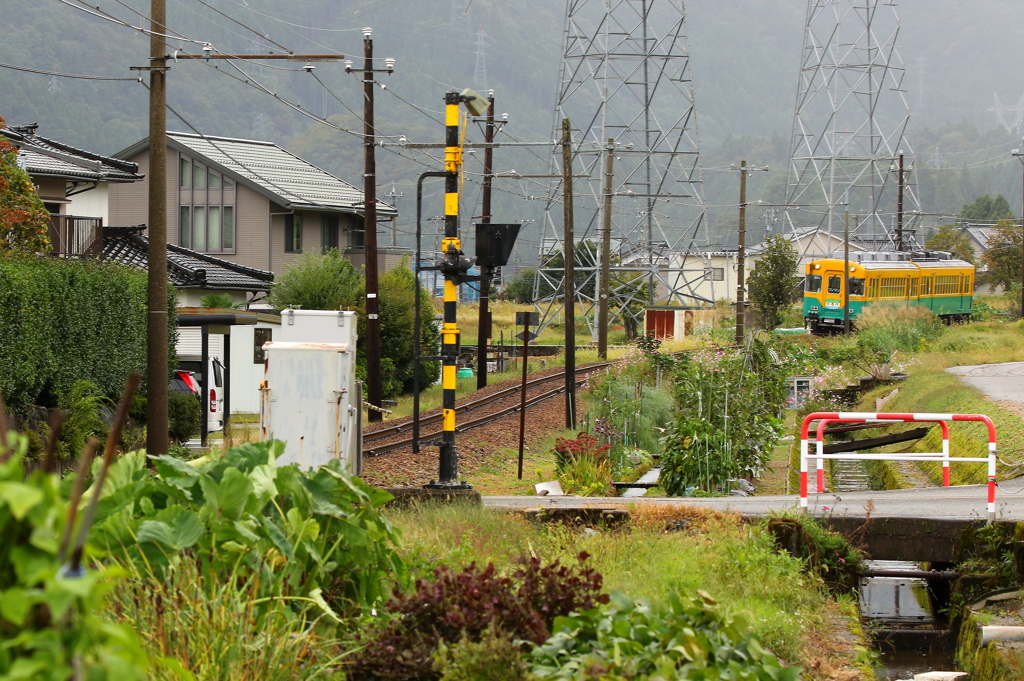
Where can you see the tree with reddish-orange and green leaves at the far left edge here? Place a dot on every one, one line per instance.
(24, 220)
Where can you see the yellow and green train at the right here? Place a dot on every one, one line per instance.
(946, 287)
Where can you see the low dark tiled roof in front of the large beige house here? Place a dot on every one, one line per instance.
(185, 267)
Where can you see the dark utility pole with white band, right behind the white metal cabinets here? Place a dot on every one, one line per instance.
(374, 388)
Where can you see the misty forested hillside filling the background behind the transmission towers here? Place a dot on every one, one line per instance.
(746, 57)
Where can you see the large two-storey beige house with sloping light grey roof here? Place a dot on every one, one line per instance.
(251, 203)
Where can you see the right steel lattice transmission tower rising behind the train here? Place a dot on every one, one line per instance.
(849, 130)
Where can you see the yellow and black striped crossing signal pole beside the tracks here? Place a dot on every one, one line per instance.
(452, 250)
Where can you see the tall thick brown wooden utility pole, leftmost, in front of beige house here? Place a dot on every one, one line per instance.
(157, 370)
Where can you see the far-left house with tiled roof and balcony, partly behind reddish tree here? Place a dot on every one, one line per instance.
(74, 185)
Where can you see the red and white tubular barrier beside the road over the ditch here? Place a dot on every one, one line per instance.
(826, 418)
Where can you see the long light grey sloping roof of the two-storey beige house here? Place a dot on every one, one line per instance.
(294, 183)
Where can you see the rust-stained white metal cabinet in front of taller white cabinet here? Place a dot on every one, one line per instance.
(312, 402)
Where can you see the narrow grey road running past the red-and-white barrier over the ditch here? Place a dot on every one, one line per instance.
(960, 503)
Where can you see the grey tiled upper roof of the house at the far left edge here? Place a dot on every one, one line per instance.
(41, 156)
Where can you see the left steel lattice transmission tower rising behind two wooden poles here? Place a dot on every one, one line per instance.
(626, 77)
